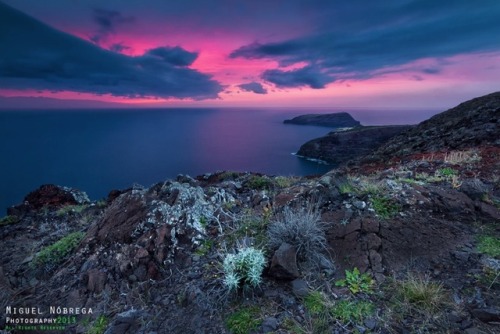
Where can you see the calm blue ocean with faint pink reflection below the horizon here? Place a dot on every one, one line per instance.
(97, 151)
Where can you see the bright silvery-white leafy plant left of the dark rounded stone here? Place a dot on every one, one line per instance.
(243, 268)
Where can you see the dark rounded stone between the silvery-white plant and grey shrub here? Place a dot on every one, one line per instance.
(284, 263)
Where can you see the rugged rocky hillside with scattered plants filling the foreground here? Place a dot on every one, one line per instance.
(404, 244)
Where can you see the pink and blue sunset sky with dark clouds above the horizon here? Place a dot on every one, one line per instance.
(258, 53)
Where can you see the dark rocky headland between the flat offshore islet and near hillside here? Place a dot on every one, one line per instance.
(340, 147)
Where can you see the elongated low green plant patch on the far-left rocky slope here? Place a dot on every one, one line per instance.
(57, 252)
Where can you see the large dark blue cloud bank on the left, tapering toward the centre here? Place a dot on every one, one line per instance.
(36, 56)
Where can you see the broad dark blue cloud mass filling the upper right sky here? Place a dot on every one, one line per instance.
(381, 36)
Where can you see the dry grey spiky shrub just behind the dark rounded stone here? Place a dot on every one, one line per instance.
(302, 229)
